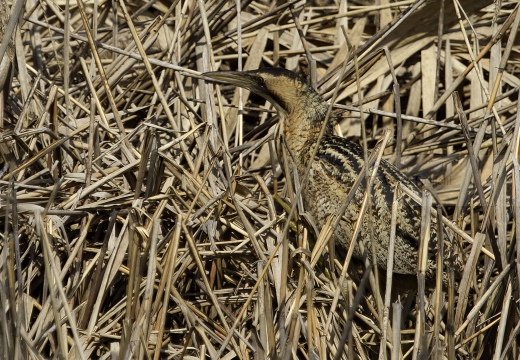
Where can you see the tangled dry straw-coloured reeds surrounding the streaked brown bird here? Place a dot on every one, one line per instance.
(144, 213)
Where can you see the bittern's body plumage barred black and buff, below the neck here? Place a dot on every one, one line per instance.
(334, 170)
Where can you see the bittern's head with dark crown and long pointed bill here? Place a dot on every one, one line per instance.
(287, 91)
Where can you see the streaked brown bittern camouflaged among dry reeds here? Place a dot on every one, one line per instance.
(334, 170)
